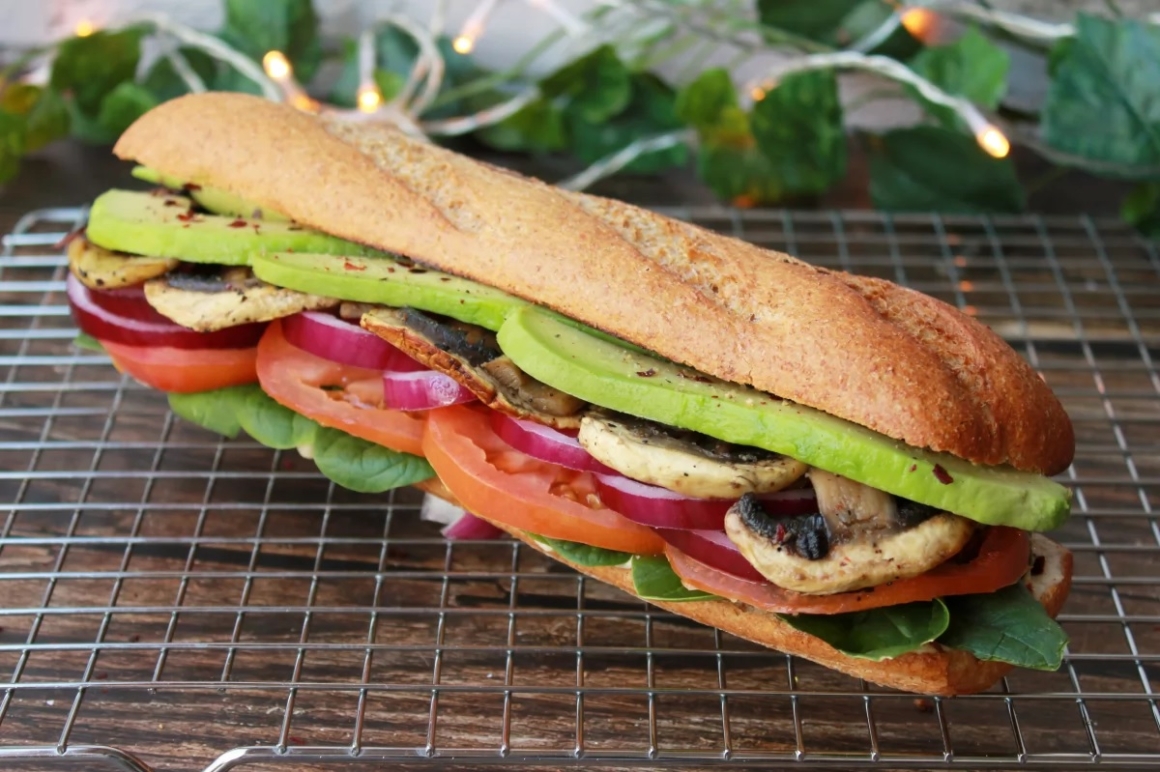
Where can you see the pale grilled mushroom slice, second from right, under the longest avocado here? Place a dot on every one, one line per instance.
(685, 462)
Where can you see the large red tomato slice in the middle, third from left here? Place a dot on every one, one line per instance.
(501, 484)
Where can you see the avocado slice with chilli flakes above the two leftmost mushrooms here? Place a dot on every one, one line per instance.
(163, 227)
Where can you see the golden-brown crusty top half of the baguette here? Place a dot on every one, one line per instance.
(862, 349)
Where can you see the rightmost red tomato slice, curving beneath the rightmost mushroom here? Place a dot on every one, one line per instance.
(1000, 562)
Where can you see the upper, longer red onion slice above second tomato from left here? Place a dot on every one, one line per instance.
(328, 337)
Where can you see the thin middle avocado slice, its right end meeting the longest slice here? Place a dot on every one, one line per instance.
(389, 282)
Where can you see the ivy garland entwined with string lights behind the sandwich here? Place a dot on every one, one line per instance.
(778, 140)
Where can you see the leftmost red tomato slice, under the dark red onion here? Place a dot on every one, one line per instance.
(185, 370)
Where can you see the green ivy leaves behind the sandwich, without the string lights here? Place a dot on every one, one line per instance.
(1099, 114)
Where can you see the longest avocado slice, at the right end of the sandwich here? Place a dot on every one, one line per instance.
(647, 387)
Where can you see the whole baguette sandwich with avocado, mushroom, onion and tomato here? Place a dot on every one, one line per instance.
(830, 465)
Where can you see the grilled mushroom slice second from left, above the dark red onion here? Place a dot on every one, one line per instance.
(216, 297)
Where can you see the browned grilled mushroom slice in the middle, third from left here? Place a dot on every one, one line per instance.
(470, 355)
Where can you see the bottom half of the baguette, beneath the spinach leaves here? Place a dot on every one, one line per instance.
(933, 671)
